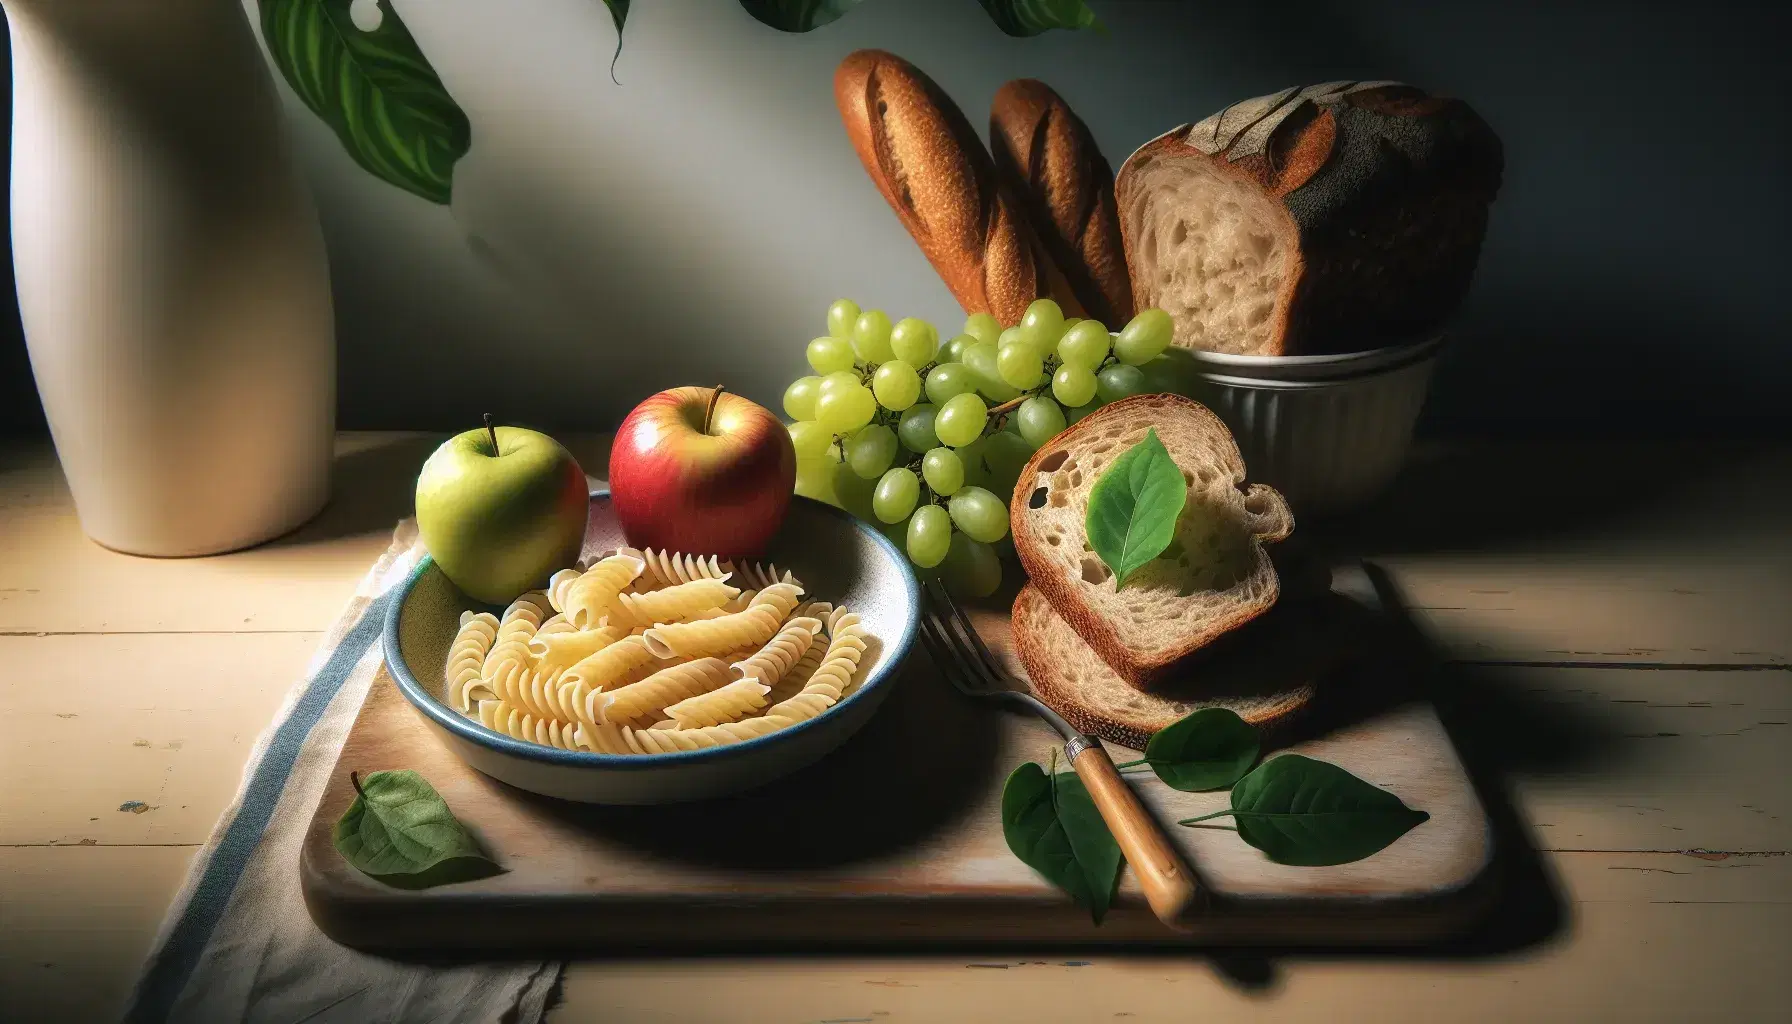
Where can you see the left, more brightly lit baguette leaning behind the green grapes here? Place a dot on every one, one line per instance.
(935, 173)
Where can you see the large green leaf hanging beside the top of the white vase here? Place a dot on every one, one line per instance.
(374, 89)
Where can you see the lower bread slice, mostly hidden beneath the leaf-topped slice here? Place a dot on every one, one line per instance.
(1069, 677)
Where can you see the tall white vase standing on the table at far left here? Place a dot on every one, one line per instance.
(171, 273)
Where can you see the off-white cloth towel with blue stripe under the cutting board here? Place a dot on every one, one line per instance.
(239, 944)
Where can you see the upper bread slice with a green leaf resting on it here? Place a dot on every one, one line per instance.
(1214, 577)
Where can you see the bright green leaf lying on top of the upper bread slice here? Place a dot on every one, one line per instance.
(1133, 508)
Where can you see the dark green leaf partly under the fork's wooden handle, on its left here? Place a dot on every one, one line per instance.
(1056, 831)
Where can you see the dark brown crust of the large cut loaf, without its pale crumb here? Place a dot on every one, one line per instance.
(1383, 193)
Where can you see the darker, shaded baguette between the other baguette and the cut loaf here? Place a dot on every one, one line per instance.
(1047, 159)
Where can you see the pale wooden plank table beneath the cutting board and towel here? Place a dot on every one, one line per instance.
(1615, 621)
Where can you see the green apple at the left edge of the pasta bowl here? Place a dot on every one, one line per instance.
(501, 510)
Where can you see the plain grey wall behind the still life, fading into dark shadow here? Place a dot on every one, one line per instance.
(694, 221)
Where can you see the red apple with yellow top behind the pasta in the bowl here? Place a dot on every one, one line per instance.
(703, 473)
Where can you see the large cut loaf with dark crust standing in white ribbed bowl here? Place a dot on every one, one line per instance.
(1331, 218)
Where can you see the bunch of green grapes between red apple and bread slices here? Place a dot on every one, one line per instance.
(927, 440)
